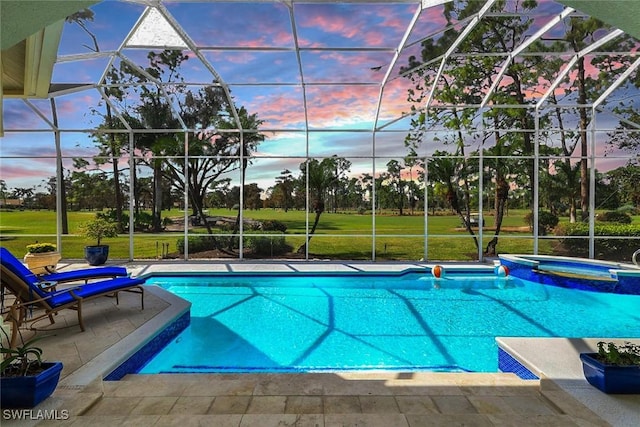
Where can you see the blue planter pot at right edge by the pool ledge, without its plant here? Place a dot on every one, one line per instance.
(608, 378)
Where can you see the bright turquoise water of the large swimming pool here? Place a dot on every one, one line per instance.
(411, 321)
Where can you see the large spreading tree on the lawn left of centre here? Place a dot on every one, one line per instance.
(211, 153)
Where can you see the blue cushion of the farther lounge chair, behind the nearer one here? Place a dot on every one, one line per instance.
(13, 263)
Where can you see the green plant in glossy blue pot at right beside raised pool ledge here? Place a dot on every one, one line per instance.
(614, 368)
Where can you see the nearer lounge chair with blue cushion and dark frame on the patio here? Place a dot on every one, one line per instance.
(29, 293)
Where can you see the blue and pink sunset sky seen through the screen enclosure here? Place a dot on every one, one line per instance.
(343, 59)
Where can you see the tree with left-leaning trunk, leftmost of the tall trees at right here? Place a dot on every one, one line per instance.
(458, 85)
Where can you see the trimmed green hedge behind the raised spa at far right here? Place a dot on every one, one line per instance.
(607, 246)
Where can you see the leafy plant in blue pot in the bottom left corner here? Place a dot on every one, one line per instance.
(26, 379)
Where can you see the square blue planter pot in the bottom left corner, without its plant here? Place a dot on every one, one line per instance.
(27, 392)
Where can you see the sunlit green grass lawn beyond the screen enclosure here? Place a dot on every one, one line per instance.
(338, 236)
